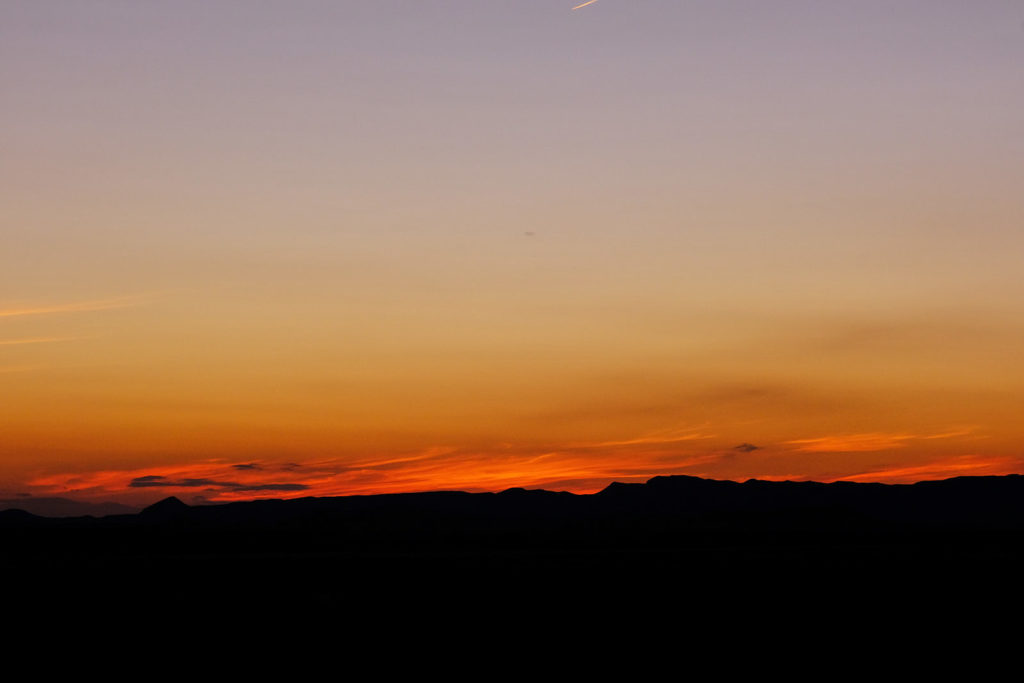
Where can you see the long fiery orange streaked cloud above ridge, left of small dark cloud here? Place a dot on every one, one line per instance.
(582, 469)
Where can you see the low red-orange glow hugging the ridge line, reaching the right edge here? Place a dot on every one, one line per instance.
(449, 469)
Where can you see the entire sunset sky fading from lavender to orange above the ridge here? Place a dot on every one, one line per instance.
(317, 248)
